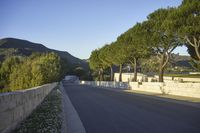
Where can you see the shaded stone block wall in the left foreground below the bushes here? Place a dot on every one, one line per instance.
(16, 106)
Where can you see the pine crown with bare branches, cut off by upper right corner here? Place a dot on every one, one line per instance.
(186, 21)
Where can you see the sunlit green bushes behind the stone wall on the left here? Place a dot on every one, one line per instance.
(26, 72)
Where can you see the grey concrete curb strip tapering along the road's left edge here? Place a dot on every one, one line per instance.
(71, 120)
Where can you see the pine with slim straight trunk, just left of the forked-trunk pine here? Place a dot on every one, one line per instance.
(135, 45)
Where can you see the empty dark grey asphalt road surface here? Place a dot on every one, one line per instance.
(106, 111)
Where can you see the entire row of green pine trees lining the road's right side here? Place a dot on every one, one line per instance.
(150, 44)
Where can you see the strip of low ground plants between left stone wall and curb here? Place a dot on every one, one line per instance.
(46, 118)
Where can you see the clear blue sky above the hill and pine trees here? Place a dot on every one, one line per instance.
(76, 26)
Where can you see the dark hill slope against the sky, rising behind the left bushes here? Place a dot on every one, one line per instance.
(18, 47)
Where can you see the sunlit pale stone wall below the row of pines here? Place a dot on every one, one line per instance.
(171, 88)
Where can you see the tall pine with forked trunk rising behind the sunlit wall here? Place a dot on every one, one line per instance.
(163, 38)
